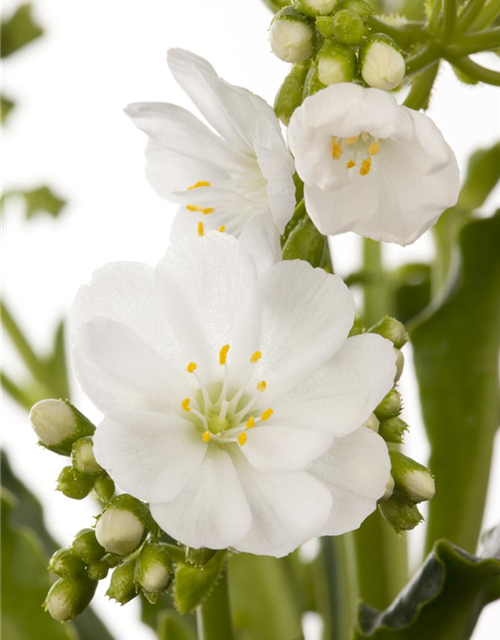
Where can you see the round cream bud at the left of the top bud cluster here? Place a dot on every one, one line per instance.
(291, 36)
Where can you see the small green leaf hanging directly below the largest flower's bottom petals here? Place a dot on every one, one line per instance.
(193, 586)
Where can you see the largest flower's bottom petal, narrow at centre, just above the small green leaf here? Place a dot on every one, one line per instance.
(212, 510)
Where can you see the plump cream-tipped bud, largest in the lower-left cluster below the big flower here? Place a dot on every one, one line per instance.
(122, 525)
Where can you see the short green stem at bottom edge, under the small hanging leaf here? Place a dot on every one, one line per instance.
(213, 617)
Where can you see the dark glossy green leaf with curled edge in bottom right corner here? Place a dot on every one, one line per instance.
(442, 602)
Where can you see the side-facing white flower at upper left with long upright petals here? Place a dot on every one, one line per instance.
(224, 177)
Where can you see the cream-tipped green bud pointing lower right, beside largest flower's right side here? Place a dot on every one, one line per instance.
(413, 481)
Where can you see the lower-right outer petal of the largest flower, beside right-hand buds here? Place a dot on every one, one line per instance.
(356, 470)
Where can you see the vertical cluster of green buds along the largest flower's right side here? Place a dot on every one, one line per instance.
(411, 483)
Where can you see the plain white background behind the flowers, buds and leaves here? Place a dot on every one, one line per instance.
(68, 130)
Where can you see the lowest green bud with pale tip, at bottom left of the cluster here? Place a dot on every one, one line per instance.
(68, 597)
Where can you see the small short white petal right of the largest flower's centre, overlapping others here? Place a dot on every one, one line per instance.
(280, 448)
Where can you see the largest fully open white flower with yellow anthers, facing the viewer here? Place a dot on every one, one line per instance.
(234, 401)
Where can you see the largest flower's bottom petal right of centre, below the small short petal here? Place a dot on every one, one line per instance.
(287, 509)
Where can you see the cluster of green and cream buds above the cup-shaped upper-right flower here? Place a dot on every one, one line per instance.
(331, 41)
